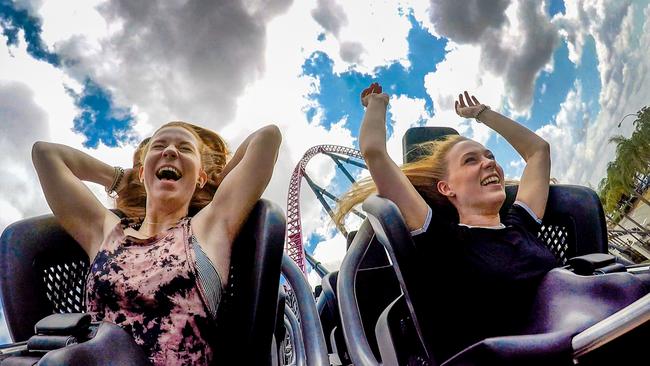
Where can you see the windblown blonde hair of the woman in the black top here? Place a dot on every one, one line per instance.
(424, 174)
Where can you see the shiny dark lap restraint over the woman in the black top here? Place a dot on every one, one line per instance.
(566, 304)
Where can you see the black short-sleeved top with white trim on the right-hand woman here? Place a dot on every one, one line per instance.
(480, 281)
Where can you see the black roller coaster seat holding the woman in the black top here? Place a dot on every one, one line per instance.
(573, 225)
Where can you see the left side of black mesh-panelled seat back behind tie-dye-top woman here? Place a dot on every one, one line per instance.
(42, 271)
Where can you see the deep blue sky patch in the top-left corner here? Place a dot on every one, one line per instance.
(13, 20)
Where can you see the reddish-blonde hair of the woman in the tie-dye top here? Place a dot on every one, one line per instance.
(214, 153)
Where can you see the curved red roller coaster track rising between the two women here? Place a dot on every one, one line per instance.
(294, 245)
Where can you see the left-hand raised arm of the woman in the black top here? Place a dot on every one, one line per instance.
(388, 177)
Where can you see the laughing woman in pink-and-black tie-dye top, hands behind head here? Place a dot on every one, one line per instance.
(160, 276)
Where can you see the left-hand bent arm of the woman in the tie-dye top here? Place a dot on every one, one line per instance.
(61, 170)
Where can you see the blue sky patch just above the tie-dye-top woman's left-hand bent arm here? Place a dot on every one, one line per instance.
(99, 120)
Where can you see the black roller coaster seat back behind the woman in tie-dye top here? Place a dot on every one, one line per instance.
(43, 270)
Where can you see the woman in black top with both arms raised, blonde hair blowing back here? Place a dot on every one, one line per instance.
(481, 269)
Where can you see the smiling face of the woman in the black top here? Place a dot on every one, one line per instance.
(475, 182)
